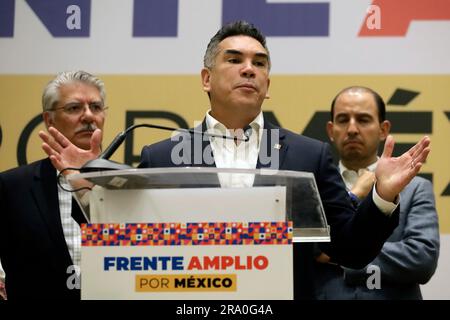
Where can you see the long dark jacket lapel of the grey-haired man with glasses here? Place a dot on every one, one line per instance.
(45, 193)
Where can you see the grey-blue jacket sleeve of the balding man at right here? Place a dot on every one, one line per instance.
(413, 257)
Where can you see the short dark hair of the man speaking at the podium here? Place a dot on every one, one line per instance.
(235, 28)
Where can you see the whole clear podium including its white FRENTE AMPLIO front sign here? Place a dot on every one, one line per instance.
(195, 232)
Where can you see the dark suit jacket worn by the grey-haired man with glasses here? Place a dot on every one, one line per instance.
(33, 250)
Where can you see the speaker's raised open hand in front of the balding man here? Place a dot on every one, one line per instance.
(394, 173)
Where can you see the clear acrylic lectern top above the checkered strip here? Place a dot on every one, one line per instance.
(199, 194)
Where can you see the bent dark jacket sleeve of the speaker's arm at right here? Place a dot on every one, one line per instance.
(356, 237)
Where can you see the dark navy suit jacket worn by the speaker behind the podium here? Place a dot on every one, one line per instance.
(355, 238)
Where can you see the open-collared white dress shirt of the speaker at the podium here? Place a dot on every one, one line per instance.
(228, 154)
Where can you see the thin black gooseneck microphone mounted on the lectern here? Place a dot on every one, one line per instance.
(103, 163)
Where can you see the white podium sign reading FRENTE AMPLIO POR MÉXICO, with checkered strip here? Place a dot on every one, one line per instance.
(227, 260)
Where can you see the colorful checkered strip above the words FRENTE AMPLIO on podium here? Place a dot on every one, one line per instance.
(209, 233)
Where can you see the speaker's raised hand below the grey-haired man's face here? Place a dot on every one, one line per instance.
(64, 154)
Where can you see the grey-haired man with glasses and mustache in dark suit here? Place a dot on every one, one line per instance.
(40, 238)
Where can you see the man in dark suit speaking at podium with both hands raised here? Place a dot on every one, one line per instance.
(236, 78)
